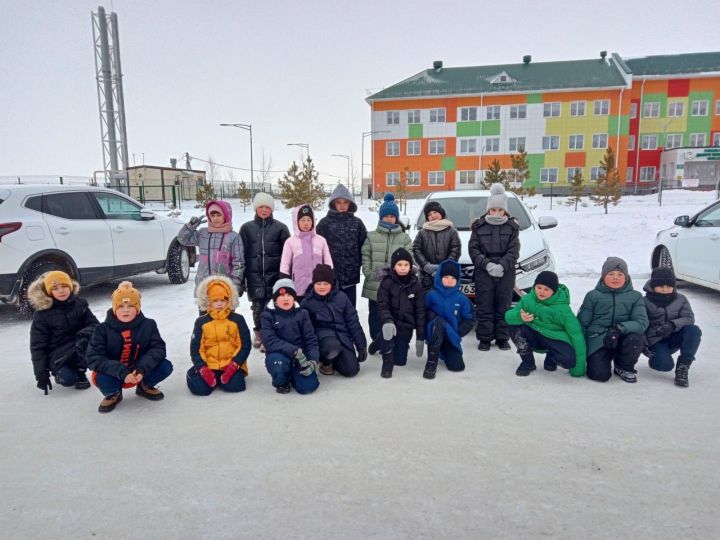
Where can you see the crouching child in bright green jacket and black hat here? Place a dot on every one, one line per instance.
(543, 321)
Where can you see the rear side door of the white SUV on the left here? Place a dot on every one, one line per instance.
(78, 230)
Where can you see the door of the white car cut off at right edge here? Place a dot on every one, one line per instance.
(698, 247)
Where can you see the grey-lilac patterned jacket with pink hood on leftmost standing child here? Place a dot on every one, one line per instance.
(220, 253)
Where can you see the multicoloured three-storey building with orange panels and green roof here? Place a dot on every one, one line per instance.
(442, 128)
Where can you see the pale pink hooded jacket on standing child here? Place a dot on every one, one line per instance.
(301, 253)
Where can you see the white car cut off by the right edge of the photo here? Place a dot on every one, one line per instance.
(692, 247)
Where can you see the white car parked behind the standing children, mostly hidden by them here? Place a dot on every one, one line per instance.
(463, 207)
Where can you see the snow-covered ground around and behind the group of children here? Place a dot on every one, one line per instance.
(480, 454)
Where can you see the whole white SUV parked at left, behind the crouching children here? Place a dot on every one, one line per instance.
(94, 234)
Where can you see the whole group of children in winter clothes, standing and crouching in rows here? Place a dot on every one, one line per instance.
(305, 318)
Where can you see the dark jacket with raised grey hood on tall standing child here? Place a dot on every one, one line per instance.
(345, 234)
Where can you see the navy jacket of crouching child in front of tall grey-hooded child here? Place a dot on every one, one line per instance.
(333, 315)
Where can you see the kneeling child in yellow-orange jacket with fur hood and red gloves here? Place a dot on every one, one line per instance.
(220, 342)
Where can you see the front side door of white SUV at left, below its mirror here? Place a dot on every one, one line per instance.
(138, 244)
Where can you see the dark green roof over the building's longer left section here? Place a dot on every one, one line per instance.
(531, 77)
